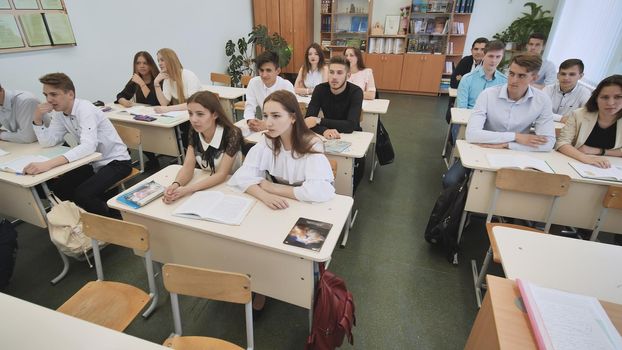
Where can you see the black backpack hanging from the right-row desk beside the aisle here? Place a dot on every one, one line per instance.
(444, 220)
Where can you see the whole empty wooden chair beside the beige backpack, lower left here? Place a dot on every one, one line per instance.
(112, 304)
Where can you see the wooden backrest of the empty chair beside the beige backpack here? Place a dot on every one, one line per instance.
(119, 232)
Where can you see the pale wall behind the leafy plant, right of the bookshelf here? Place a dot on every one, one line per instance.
(493, 16)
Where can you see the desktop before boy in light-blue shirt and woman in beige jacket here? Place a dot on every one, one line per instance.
(474, 157)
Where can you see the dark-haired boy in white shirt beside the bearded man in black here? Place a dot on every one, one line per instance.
(264, 84)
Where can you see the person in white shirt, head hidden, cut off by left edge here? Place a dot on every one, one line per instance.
(16, 111)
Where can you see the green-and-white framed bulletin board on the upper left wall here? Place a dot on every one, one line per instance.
(27, 25)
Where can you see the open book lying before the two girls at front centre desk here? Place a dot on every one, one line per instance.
(215, 206)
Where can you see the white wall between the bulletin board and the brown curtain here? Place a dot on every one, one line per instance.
(109, 32)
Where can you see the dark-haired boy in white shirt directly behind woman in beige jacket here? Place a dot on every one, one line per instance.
(567, 94)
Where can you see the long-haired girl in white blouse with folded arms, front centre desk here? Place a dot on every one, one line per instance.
(290, 154)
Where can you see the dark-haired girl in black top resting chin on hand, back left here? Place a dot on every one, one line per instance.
(140, 88)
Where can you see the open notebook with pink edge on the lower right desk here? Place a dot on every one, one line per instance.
(563, 320)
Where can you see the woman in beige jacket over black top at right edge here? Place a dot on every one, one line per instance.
(595, 130)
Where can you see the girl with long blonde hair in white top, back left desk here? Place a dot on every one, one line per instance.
(174, 83)
